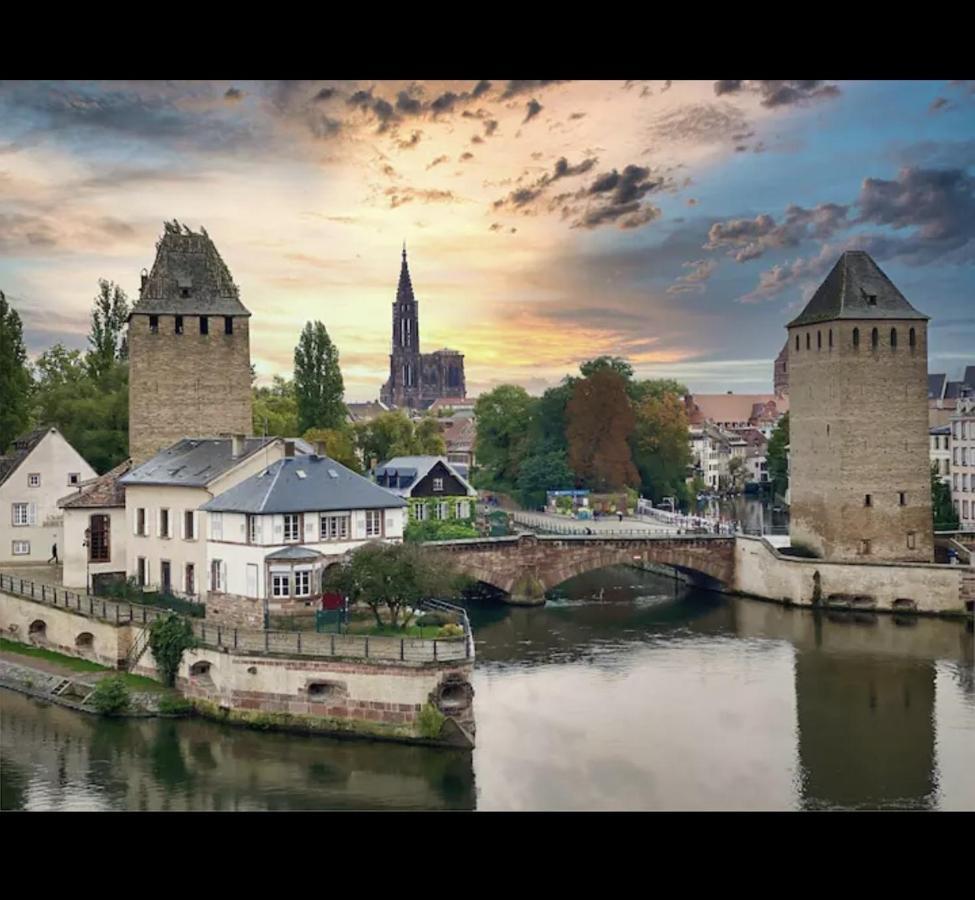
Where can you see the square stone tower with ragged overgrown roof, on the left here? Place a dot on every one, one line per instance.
(189, 349)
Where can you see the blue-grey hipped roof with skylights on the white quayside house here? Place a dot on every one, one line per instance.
(322, 485)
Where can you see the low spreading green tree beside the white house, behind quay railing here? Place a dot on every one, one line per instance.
(392, 576)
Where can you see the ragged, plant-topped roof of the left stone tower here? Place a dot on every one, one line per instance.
(189, 276)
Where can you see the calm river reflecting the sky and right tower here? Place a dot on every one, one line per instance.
(655, 697)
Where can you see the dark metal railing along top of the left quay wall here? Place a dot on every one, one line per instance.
(291, 643)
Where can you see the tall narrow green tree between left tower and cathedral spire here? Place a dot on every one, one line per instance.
(318, 380)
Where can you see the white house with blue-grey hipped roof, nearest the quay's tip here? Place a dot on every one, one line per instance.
(272, 536)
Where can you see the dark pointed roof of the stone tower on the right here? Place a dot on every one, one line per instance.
(856, 288)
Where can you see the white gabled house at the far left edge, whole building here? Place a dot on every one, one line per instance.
(35, 473)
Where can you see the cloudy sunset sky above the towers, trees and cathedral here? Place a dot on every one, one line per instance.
(678, 224)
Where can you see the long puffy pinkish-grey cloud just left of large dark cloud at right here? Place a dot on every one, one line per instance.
(750, 238)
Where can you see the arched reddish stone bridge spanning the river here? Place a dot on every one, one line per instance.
(528, 565)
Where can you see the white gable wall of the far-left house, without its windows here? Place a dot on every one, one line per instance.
(53, 459)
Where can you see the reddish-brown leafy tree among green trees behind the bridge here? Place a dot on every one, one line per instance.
(600, 422)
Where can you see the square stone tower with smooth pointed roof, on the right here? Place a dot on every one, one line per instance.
(860, 475)
